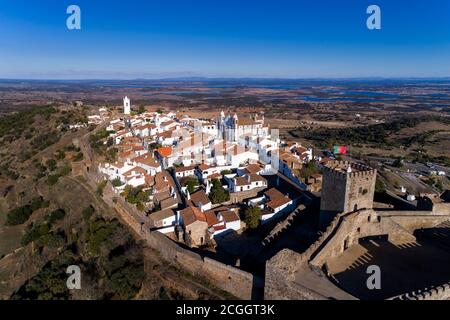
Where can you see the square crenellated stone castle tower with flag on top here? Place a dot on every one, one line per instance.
(346, 187)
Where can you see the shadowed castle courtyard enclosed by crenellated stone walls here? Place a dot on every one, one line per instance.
(404, 267)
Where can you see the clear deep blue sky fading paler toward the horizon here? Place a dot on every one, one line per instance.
(227, 38)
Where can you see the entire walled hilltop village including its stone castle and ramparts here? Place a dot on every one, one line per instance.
(262, 217)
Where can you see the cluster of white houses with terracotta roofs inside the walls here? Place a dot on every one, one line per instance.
(198, 174)
